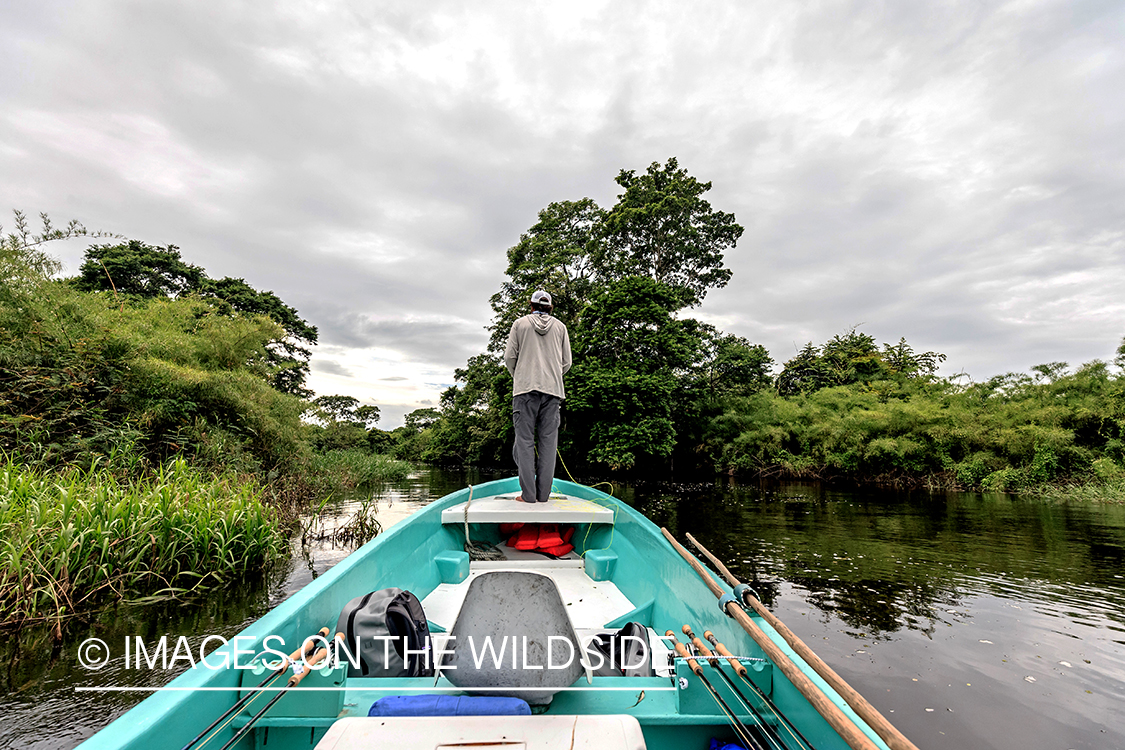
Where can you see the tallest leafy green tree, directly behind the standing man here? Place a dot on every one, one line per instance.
(620, 279)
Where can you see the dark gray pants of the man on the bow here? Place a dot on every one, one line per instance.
(535, 412)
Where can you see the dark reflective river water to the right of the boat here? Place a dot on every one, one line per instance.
(969, 620)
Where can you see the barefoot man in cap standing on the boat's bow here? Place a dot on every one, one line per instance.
(538, 355)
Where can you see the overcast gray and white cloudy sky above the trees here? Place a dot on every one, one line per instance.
(951, 173)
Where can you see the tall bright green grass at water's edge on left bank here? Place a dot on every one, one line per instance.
(71, 541)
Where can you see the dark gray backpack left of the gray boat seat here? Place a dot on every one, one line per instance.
(370, 620)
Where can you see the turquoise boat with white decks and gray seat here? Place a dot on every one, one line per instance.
(623, 571)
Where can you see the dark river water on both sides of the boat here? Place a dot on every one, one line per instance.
(970, 621)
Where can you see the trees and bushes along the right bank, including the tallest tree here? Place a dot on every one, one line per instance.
(655, 392)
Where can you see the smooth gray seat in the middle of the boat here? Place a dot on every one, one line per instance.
(514, 632)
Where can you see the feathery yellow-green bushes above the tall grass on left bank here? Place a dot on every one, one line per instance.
(83, 377)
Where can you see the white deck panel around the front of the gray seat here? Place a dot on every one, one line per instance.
(590, 604)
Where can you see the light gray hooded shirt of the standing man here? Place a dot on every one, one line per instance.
(538, 355)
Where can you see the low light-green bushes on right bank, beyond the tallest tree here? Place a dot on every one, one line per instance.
(1010, 433)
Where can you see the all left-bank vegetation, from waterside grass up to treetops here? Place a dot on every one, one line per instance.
(156, 431)
